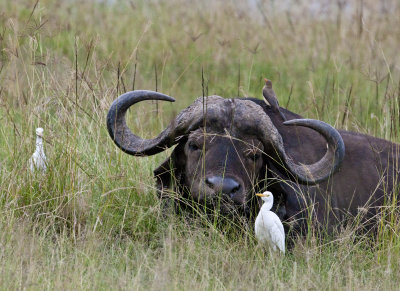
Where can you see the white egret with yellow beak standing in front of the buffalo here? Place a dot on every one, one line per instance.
(268, 227)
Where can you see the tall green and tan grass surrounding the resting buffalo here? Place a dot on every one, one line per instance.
(94, 221)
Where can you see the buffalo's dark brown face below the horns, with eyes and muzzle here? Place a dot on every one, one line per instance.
(221, 169)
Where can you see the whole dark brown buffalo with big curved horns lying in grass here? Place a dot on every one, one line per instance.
(228, 148)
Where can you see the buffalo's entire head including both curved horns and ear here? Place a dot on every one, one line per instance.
(222, 148)
